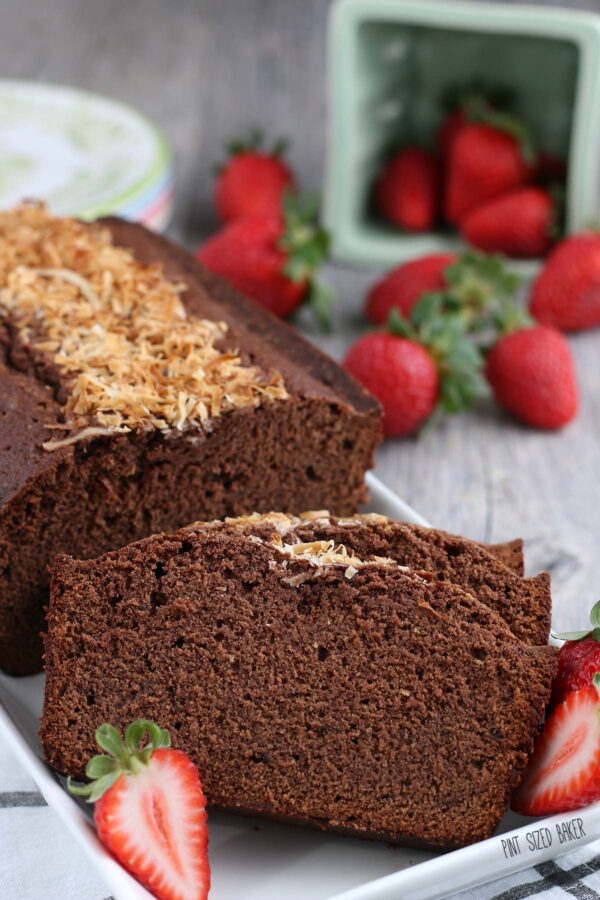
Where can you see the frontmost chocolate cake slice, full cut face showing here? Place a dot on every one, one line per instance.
(308, 684)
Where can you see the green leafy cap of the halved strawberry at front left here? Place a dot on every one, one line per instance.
(127, 756)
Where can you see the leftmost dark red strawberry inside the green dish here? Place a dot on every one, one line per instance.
(407, 190)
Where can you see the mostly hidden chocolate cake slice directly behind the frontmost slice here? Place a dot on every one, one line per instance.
(524, 603)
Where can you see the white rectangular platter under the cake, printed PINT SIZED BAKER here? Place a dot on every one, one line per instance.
(259, 860)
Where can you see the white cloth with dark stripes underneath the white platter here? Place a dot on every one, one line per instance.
(40, 861)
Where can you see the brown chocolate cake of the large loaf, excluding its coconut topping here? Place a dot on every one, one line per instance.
(310, 449)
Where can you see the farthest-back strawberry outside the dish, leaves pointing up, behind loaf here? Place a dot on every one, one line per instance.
(252, 182)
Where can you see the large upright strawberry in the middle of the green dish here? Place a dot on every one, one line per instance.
(485, 162)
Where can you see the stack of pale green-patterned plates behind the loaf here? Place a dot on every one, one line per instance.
(83, 154)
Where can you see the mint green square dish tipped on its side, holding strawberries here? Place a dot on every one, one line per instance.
(392, 61)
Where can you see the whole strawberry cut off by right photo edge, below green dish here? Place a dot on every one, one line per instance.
(566, 293)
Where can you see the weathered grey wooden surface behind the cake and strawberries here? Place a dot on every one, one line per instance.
(207, 69)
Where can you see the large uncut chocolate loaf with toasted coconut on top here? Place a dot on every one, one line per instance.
(139, 393)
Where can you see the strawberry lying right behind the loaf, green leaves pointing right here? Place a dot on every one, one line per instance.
(272, 260)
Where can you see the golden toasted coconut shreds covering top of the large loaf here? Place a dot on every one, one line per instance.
(117, 332)
